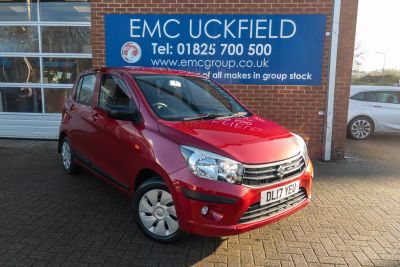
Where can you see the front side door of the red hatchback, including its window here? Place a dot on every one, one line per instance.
(114, 141)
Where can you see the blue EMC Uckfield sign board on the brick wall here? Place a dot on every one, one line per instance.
(231, 49)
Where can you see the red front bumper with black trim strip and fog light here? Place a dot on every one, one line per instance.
(226, 203)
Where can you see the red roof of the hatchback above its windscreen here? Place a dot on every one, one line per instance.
(149, 70)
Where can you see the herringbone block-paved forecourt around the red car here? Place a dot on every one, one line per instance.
(50, 218)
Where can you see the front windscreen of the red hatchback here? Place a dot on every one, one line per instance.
(180, 98)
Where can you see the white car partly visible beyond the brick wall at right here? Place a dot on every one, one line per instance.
(373, 109)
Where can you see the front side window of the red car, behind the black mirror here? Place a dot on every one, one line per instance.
(113, 91)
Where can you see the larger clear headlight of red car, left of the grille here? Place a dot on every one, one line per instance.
(211, 166)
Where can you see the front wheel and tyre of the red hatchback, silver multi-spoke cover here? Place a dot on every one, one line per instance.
(154, 211)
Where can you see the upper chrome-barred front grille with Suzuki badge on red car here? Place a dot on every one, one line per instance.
(260, 175)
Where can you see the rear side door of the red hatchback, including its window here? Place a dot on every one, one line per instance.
(80, 110)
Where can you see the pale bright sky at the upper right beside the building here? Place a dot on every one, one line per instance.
(378, 30)
